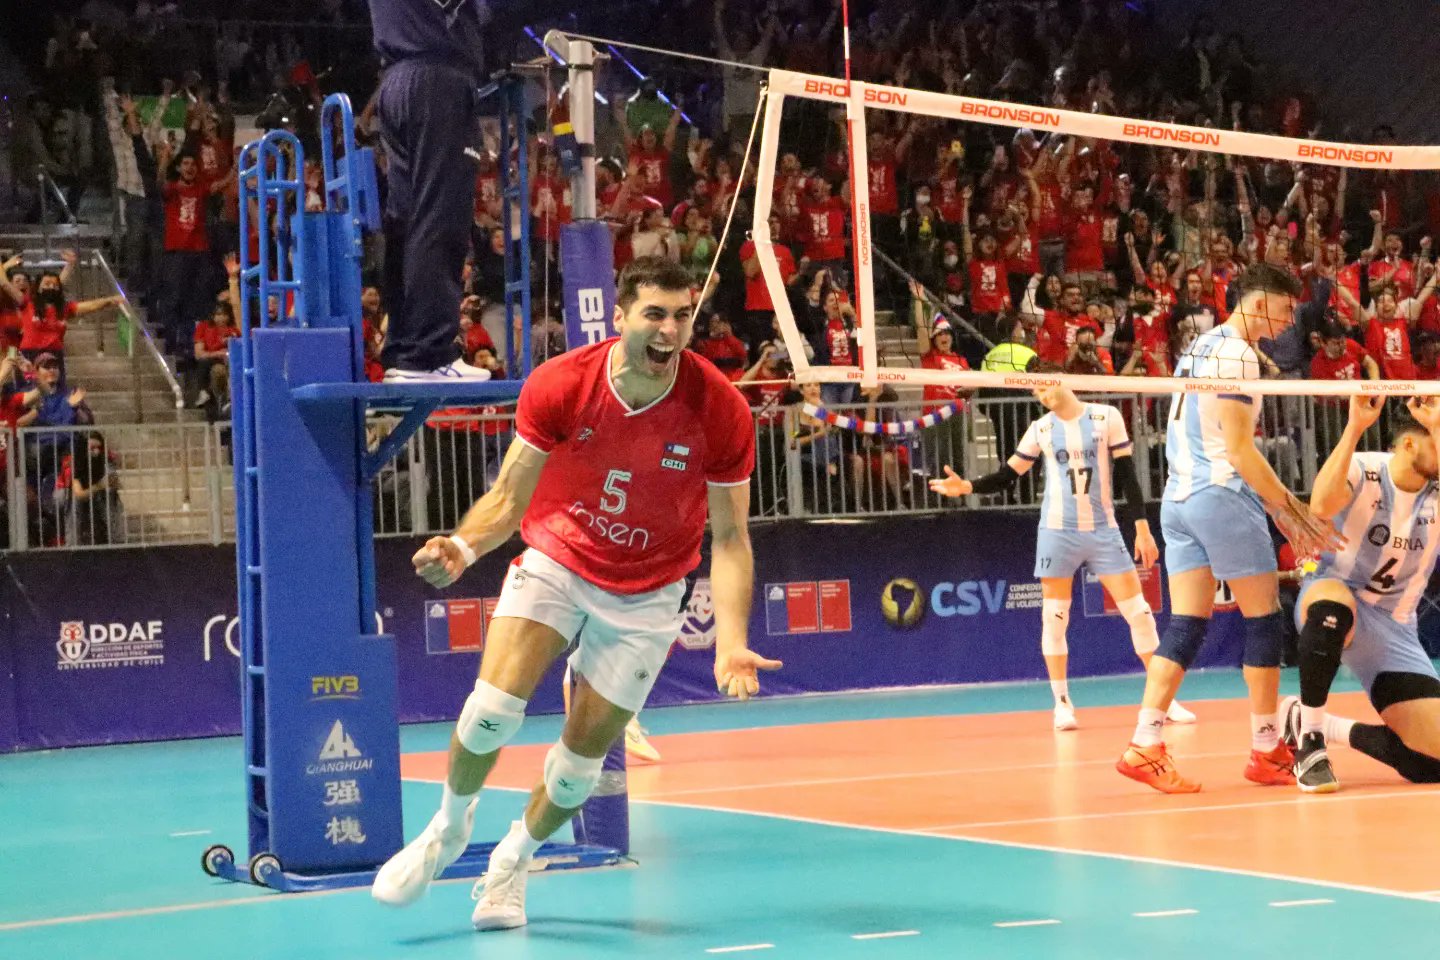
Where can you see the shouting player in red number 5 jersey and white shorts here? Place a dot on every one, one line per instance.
(621, 451)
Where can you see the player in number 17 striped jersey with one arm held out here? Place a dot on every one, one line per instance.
(1086, 454)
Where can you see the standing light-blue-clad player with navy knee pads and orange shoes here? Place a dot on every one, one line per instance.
(1213, 519)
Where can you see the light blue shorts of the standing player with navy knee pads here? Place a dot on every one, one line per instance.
(1219, 529)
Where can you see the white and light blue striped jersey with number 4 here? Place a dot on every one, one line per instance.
(1392, 539)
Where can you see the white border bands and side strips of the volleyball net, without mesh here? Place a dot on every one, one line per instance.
(858, 97)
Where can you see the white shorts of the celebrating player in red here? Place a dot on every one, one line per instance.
(623, 640)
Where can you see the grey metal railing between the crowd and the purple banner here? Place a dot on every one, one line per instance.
(804, 468)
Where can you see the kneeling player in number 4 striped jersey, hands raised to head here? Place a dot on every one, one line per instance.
(1359, 608)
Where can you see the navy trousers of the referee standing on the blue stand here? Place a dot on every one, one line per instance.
(428, 117)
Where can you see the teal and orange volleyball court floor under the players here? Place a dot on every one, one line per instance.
(102, 851)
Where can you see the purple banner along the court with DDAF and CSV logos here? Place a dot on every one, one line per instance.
(148, 648)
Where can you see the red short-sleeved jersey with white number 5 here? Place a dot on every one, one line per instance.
(621, 502)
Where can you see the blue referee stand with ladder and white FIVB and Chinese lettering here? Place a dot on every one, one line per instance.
(319, 679)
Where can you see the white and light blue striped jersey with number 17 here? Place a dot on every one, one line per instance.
(1078, 457)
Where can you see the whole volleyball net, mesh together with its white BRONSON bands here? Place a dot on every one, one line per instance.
(1104, 253)
